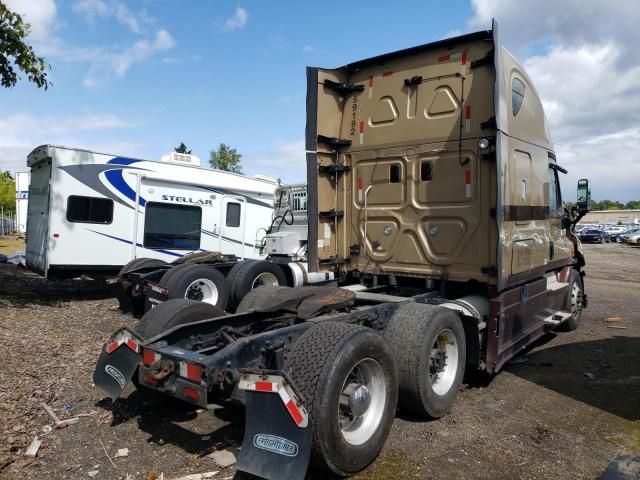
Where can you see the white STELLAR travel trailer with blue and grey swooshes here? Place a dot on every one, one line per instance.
(93, 212)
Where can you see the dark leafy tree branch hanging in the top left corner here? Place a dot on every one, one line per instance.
(15, 53)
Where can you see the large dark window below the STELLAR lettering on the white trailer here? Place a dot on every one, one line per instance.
(172, 227)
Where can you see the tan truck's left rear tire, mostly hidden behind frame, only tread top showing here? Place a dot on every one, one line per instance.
(174, 312)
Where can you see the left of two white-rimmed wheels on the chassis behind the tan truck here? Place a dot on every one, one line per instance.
(197, 282)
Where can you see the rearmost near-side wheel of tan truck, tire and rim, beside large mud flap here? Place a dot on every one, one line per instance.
(348, 379)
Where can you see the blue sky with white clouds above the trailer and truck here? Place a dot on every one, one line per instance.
(137, 77)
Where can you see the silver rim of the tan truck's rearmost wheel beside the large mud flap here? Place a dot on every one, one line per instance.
(362, 401)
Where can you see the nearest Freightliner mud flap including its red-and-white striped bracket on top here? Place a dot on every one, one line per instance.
(277, 435)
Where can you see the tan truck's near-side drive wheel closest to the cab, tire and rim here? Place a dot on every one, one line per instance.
(429, 345)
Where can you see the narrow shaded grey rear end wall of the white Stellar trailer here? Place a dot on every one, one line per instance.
(38, 216)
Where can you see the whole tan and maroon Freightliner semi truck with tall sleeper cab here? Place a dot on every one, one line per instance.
(435, 208)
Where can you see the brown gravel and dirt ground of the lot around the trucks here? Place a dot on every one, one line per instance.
(540, 418)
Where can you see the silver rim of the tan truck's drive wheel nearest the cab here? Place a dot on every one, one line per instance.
(443, 362)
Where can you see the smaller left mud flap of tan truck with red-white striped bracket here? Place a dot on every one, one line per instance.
(117, 362)
